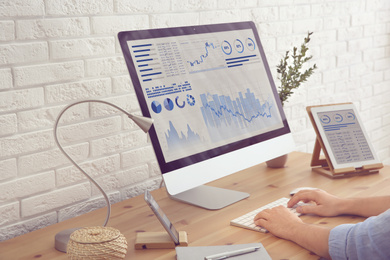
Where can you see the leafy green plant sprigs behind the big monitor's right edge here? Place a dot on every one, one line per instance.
(291, 75)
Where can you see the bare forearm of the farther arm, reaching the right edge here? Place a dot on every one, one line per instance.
(365, 207)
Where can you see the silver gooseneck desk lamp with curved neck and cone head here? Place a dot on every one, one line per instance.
(62, 238)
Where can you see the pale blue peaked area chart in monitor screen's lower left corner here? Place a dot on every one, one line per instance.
(177, 141)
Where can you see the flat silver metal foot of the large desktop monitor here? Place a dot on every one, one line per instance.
(209, 197)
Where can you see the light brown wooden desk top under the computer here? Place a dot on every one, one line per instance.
(206, 227)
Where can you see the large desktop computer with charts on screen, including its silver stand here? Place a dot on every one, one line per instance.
(215, 106)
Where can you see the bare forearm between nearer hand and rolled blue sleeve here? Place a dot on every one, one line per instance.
(312, 237)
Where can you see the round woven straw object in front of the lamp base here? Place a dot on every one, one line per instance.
(97, 243)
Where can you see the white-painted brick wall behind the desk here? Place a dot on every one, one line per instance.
(54, 52)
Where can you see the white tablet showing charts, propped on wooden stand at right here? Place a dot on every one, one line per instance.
(343, 135)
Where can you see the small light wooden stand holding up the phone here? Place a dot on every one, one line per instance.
(158, 240)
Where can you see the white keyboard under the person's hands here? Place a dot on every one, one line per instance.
(246, 220)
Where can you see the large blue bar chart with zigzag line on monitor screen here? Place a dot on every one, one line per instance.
(227, 117)
